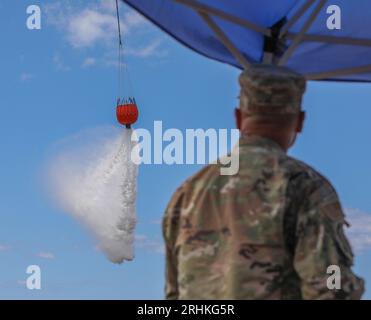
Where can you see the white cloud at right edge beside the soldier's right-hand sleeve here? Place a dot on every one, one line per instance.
(360, 231)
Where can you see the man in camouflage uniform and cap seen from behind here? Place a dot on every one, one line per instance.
(270, 231)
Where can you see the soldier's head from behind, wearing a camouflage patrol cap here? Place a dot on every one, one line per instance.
(270, 103)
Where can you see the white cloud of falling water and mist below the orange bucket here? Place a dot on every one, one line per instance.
(93, 179)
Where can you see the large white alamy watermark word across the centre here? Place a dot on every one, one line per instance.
(196, 146)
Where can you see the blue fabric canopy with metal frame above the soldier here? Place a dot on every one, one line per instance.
(294, 33)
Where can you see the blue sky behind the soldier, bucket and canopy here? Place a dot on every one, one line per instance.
(62, 79)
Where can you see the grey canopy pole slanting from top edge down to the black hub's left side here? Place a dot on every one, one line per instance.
(200, 7)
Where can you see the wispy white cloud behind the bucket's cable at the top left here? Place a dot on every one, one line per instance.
(95, 25)
